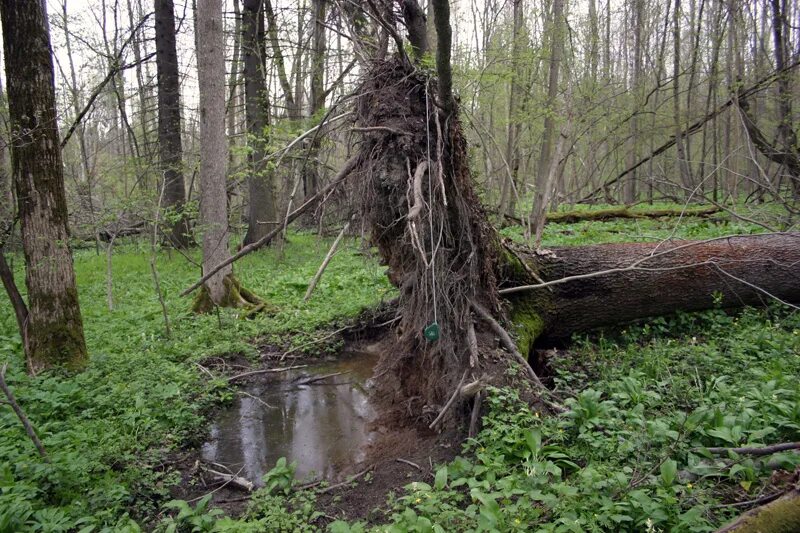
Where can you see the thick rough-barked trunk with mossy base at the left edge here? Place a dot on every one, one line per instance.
(55, 327)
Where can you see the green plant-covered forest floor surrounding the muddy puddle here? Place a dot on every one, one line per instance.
(629, 455)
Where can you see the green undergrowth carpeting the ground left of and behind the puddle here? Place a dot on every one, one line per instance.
(110, 431)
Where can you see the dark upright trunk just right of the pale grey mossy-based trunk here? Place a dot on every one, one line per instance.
(262, 210)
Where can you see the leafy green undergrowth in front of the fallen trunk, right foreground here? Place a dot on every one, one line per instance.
(630, 453)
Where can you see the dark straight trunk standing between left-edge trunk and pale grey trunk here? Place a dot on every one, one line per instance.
(169, 123)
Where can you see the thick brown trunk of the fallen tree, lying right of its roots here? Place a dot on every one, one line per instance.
(588, 287)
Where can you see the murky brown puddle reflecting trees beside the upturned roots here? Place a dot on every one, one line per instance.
(321, 425)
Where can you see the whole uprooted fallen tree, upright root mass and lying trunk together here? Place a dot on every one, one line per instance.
(448, 261)
